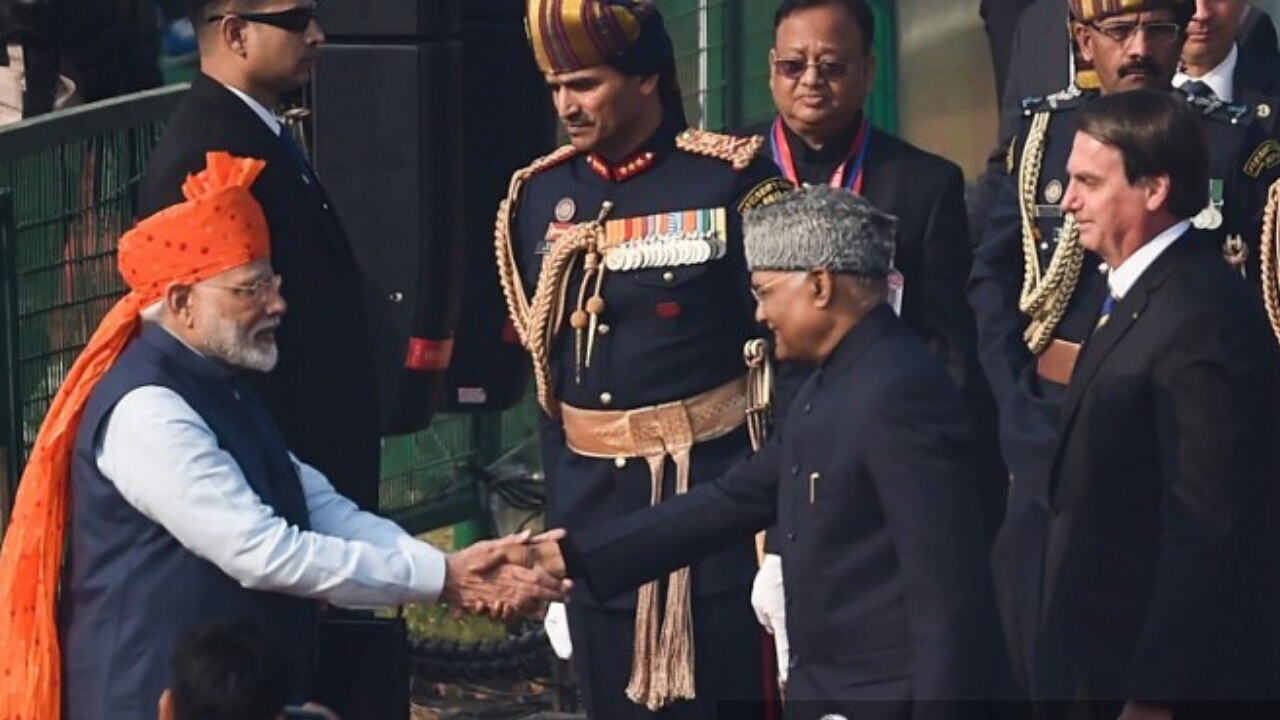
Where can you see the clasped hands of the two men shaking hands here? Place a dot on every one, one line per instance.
(508, 577)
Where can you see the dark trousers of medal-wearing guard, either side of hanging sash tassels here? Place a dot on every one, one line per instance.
(728, 662)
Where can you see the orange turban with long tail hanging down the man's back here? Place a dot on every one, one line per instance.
(220, 227)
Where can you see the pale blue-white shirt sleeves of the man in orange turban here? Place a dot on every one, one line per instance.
(166, 462)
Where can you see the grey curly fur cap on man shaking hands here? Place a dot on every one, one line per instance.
(820, 227)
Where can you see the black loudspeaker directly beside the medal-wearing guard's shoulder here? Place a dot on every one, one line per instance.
(510, 122)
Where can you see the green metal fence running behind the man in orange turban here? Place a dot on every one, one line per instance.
(68, 186)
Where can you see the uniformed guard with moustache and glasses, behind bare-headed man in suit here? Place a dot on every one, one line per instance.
(1037, 294)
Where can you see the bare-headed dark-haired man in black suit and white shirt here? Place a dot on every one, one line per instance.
(1163, 479)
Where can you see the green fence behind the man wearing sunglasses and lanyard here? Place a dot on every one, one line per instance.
(723, 61)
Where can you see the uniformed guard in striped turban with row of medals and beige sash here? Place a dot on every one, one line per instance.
(623, 267)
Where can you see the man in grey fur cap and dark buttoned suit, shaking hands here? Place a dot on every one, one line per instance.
(871, 482)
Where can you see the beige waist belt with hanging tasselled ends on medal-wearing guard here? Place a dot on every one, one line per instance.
(662, 663)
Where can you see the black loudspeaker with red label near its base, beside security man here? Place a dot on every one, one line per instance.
(387, 127)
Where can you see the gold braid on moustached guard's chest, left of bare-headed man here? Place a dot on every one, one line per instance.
(1046, 294)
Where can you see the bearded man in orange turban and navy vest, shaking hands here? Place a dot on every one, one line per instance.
(185, 505)
